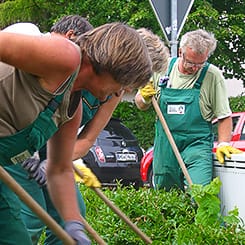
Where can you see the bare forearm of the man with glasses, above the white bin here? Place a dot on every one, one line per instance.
(225, 129)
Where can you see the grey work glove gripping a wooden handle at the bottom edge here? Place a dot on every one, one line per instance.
(75, 229)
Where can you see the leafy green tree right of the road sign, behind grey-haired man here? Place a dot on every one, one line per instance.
(226, 20)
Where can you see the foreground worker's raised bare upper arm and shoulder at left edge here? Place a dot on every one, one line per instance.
(51, 58)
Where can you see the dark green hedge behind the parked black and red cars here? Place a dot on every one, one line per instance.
(142, 122)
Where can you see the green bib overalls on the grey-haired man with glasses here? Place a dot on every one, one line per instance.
(192, 135)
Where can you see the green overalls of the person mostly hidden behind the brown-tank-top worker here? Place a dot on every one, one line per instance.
(34, 225)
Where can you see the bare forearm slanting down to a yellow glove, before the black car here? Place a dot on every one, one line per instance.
(94, 127)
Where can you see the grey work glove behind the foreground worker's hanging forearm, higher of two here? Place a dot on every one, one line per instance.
(36, 169)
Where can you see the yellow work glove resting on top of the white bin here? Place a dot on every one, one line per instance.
(225, 150)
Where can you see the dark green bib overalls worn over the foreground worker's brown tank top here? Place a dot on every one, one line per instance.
(15, 149)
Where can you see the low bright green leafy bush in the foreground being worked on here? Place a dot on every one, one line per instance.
(166, 217)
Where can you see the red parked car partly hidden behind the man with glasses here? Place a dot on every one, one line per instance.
(237, 141)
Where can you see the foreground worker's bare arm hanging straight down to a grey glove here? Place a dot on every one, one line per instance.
(59, 171)
